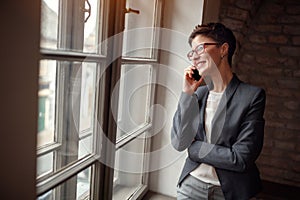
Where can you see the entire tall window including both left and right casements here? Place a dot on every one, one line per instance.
(74, 100)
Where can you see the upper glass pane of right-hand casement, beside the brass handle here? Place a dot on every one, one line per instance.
(138, 36)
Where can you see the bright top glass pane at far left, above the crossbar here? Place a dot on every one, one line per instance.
(49, 24)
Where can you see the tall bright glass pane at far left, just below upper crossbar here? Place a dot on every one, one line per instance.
(47, 101)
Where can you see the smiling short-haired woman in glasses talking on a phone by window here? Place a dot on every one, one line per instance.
(221, 124)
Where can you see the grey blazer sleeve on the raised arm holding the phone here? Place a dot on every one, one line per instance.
(185, 122)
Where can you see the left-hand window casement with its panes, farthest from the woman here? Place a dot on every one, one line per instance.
(69, 97)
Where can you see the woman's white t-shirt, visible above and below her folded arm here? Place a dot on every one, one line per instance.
(204, 172)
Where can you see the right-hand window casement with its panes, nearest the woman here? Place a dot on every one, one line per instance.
(135, 94)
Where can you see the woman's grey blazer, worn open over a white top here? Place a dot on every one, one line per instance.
(237, 136)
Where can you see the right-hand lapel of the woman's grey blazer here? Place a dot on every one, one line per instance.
(219, 119)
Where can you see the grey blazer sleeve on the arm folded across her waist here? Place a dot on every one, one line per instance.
(247, 147)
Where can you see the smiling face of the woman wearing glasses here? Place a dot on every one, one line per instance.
(209, 59)
